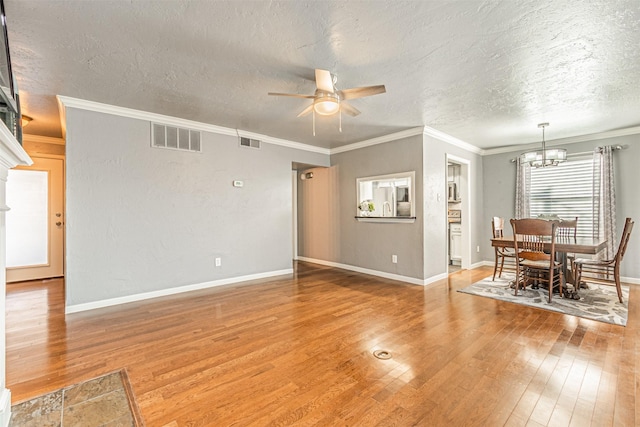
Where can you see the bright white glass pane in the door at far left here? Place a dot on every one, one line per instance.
(27, 221)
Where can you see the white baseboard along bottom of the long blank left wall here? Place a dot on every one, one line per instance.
(172, 291)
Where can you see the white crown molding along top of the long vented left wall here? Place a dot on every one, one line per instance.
(68, 102)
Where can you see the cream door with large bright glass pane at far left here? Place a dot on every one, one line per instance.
(35, 223)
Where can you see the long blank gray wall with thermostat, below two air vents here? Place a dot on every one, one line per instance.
(141, 219)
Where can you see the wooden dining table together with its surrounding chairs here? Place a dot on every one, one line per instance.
(547, 252)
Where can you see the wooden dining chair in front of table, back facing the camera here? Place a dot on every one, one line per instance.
(534, 241)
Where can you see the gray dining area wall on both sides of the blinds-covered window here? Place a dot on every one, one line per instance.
(499, 189)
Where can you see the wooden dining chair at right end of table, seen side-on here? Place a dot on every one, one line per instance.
(605, 271)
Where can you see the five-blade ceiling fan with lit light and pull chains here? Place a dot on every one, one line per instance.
(327, 100)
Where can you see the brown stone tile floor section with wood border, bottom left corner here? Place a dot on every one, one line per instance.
(104, 401)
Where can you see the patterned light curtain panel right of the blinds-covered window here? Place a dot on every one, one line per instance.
(604, 199)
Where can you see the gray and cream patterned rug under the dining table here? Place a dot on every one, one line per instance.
(599, 302)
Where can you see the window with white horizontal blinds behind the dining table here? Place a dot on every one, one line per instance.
(565, 190)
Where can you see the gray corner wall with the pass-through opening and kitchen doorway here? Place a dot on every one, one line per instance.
(335, 235)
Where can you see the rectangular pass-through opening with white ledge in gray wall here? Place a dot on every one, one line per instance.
(386, 196)
